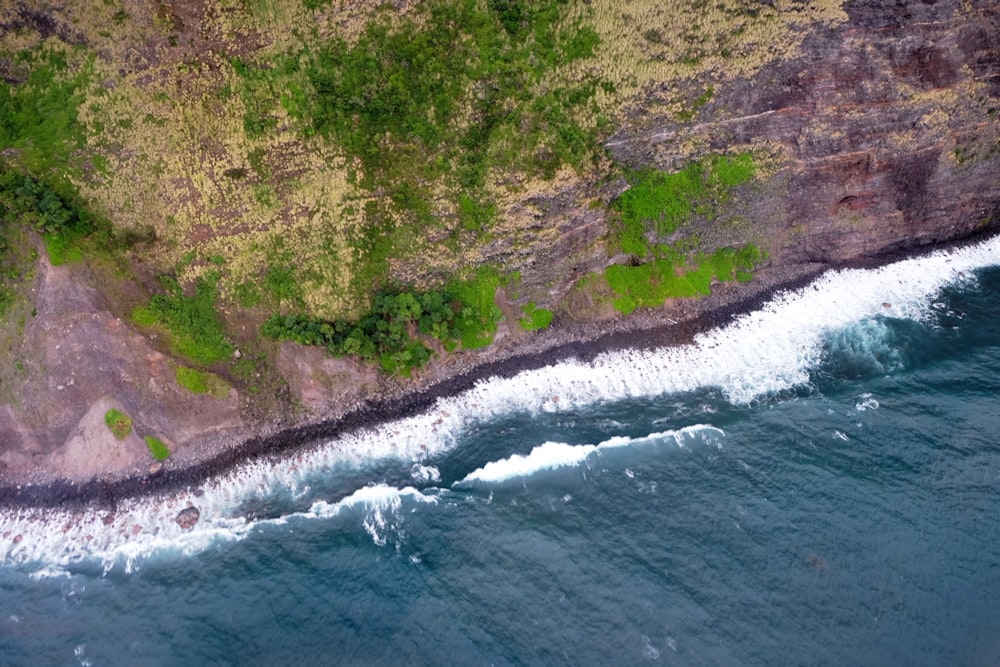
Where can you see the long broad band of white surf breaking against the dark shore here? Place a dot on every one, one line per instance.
(769, 350)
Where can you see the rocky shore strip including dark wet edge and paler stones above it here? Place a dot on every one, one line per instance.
(673, 325)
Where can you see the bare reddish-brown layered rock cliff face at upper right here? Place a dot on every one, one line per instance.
(885, 132)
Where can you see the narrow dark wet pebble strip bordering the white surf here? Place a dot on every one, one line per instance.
(650, 330)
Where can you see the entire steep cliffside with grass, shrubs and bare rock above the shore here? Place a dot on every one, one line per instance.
(811, 134)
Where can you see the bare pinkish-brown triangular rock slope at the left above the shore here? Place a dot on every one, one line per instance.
(78, 361)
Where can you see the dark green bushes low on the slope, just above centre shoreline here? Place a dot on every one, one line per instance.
(395, 330)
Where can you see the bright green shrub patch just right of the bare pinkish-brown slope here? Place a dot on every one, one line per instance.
(192, 322)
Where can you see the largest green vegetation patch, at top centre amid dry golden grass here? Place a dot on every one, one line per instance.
(431, 109)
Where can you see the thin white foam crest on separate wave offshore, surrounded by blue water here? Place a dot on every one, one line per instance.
(553, 455)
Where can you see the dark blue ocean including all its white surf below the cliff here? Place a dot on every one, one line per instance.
(816, 484)
